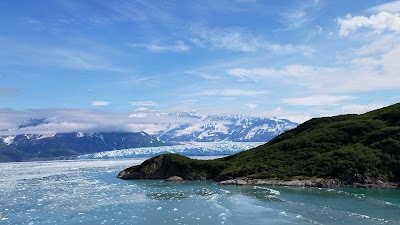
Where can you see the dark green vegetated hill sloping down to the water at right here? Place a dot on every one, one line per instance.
(351, 148)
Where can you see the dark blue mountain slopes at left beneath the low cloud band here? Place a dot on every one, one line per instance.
(75, 143)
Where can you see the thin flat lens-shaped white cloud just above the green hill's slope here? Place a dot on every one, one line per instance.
(316, 100)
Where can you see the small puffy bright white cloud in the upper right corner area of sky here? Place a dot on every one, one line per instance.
(383, 21)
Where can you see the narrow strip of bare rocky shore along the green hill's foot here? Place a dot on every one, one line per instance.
(318, 182)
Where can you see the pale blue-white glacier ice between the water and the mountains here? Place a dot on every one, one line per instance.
(188, 149)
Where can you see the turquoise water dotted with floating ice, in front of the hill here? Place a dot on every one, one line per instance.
(88, 192)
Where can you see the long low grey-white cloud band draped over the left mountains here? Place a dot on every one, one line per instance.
(64, 120)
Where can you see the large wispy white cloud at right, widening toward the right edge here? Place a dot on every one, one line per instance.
(359, 70)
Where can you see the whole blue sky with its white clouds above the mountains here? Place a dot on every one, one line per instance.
(290, 59)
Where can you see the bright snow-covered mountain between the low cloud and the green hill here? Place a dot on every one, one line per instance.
(208, 128)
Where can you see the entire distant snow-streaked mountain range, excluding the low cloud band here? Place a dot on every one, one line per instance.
(165, 129)
